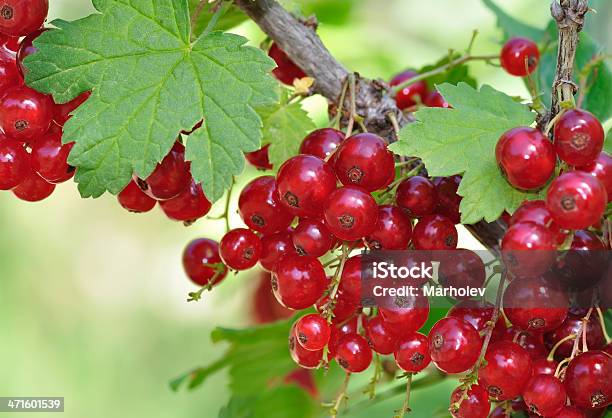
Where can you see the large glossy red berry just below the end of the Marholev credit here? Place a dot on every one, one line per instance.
(454, 345)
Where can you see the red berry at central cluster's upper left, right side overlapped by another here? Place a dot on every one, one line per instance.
(260, 208)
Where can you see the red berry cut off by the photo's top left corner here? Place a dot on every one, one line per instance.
(22, 17)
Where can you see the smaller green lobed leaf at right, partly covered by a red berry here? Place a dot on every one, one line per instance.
(462, 140)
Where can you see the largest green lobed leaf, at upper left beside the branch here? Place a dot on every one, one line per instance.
(149, 82)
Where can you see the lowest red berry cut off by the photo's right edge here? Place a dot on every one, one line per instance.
(588, 380)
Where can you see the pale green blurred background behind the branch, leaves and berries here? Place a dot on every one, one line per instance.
(93, 299)
